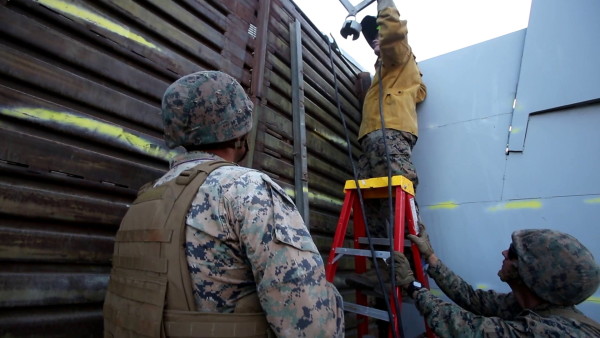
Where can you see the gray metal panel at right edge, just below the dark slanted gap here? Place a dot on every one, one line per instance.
(562, 157)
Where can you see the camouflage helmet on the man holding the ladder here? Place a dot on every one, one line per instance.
(556, 266)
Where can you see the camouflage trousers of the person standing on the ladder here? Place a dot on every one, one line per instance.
(374, 163)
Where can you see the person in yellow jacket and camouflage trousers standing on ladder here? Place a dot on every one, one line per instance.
(387, 143)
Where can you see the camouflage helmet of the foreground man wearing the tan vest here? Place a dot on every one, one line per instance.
(205, 107)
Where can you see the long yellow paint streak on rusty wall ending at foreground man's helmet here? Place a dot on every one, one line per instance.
(89, 125)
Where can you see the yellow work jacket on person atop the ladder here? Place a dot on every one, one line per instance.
(401, 80)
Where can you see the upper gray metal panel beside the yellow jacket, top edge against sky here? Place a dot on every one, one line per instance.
(455, 82)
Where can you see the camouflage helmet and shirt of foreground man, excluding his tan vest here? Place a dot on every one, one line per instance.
(244, 235)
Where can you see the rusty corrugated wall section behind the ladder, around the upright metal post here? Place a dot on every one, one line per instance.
(327, 155)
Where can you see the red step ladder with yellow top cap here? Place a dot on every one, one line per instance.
(404, 213)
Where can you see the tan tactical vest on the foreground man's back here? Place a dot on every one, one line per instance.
(150, 289)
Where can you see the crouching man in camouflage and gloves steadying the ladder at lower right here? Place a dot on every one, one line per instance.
(550, 267)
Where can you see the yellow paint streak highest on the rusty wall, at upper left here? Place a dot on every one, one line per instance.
(96, 19)
